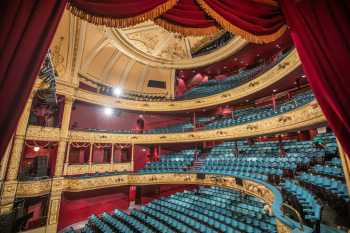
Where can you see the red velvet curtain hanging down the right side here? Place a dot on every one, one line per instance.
(321, 33)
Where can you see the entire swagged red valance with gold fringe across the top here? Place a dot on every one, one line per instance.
(258, 21)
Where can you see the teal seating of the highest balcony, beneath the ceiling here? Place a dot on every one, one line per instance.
(214, 86)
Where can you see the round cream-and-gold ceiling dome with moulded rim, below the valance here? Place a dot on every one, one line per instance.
(150, 44)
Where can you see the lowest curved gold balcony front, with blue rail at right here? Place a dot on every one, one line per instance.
(269, 193)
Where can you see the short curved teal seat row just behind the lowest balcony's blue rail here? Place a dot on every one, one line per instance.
(310, 207)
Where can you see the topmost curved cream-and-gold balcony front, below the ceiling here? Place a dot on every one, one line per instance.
(283, 68)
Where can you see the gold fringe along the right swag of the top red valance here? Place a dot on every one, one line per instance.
(258, 39)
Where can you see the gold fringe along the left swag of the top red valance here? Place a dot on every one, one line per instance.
(122, 22)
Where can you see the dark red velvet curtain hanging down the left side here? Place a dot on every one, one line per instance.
(26, 30)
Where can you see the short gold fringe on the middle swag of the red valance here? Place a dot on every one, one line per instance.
(186, 31)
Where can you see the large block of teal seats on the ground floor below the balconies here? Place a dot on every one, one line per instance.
(211, 210)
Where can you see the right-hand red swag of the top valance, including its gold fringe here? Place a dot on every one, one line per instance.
(256, 21)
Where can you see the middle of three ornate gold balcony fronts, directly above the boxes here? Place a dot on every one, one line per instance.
(306, 116)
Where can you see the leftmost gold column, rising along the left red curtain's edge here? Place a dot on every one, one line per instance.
(10, 185)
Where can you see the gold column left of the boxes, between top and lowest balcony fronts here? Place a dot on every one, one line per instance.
(62, 144)
